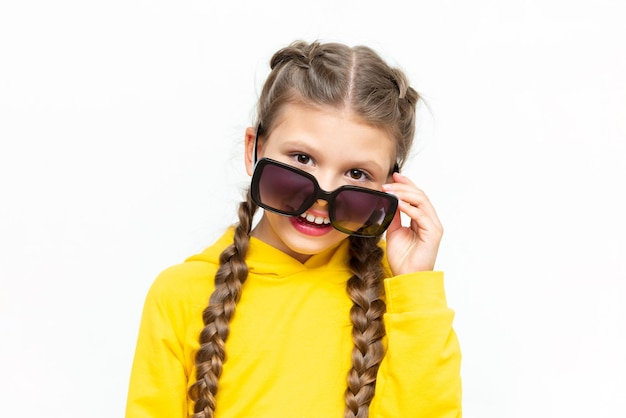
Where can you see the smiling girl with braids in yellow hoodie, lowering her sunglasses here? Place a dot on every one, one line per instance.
(309, 314)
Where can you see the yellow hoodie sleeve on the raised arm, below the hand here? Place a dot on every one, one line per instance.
(420, 373)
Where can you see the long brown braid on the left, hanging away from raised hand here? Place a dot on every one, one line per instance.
(229, 279)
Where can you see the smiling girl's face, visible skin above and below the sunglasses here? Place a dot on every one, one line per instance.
(338, 149)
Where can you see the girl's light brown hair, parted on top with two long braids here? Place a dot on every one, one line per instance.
(319, 74)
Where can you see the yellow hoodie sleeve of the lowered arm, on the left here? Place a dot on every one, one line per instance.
(158, 383)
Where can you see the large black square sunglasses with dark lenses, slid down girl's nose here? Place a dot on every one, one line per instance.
(353, 210)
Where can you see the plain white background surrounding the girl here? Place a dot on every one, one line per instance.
(121, 129)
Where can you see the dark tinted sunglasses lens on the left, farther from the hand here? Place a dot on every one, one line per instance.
(284, 190)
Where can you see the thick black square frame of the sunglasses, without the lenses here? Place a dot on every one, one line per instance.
(319, 193)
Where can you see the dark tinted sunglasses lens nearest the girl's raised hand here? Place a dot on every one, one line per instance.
(361, 211)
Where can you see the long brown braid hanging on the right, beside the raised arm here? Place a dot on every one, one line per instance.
(365, 289)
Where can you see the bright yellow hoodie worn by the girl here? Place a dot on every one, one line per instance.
(289, 349)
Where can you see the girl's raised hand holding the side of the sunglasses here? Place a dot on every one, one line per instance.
(412, 248)
